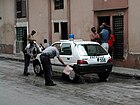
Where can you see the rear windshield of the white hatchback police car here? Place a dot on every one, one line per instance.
(91, 50)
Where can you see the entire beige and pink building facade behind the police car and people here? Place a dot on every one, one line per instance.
(56, 19)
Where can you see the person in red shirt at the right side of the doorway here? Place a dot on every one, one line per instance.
(111, 43)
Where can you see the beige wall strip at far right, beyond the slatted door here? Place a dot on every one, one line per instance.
(134, 26)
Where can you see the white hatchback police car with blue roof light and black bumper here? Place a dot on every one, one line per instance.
(84, 57)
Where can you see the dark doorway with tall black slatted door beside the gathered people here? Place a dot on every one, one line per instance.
(118, 31)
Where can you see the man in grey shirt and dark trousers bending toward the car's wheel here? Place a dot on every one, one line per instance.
(47, 54)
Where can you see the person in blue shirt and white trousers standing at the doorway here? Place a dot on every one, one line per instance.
(104, 35)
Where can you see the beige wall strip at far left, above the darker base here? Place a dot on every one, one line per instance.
(7, 22)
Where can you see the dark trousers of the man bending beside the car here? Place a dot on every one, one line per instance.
(47, 68)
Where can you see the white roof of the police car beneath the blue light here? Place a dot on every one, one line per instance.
(76, 41)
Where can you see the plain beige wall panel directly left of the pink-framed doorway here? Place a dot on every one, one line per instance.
(81, 18)
